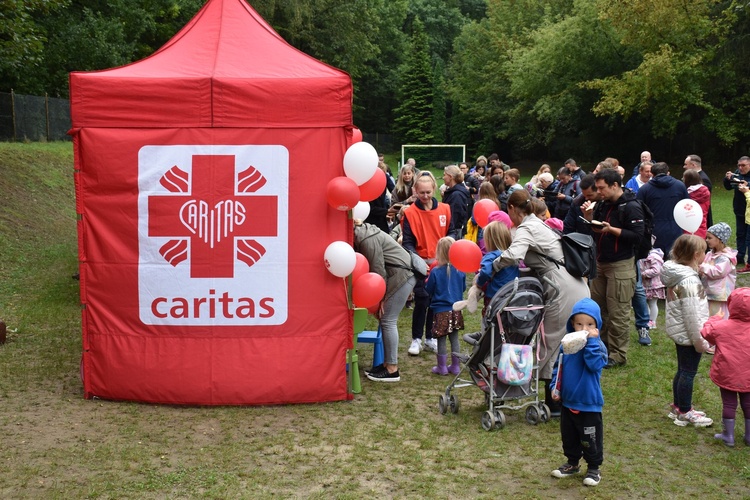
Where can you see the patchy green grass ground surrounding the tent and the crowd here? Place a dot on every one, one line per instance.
(390, 441)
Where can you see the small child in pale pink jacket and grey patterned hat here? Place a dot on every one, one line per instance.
(718, 271)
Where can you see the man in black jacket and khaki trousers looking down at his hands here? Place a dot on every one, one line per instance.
(620, 229)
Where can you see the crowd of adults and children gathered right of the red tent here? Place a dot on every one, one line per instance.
(694, 275)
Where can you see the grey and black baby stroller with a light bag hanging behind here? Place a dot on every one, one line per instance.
(514, 315)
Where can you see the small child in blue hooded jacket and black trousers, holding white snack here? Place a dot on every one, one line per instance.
(576, 382)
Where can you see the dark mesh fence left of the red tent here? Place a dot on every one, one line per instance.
(33, 118)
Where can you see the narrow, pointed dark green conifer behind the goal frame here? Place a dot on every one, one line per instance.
(413, 122)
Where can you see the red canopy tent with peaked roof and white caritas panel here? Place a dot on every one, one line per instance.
(200, 183)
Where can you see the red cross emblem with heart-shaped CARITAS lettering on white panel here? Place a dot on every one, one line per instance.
(217, 220)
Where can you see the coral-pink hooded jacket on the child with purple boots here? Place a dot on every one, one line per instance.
(730, 368)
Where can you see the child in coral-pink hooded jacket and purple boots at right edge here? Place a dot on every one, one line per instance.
(730, 369)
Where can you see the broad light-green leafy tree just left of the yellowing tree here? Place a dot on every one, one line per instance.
(548, 99)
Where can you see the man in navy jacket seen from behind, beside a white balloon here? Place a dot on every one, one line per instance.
(661, 194)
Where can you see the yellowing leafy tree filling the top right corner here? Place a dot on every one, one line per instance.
(684, 74)
